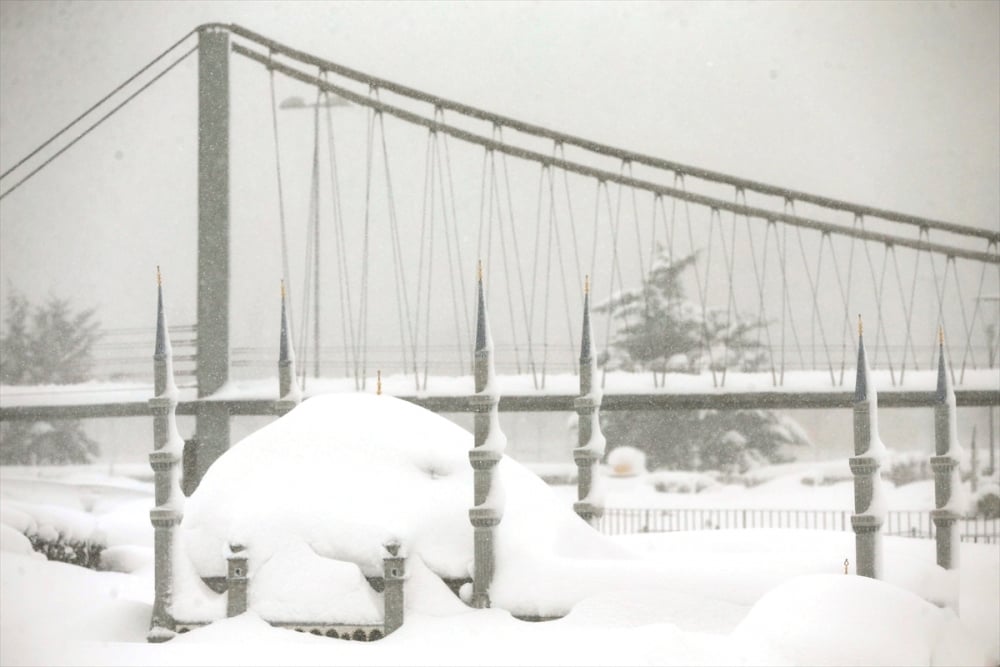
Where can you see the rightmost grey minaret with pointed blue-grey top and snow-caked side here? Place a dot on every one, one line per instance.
(945, 467)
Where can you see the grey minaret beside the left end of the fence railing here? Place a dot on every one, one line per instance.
(591, 442)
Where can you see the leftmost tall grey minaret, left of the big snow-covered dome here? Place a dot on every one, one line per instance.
(164, 460)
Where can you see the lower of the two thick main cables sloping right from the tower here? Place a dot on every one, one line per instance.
(611, 177)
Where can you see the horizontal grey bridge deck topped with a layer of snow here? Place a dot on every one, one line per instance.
(623, 391)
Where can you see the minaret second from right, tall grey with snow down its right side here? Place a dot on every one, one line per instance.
(869, 508)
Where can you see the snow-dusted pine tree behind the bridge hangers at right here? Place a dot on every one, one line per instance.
(660, 330)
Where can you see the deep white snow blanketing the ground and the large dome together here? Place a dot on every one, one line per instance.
(715, 597)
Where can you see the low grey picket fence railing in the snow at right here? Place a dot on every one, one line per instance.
(903, 523)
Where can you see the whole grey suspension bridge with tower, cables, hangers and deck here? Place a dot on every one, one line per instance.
(403, 191)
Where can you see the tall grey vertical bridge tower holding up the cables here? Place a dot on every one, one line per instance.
(212, 421)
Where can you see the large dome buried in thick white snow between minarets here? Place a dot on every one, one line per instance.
(341, 474)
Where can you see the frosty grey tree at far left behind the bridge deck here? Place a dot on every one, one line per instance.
(47, 344)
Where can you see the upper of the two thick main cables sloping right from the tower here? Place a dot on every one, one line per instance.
(602, 149)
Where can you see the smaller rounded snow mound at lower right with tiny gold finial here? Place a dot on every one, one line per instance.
(852, 620)
